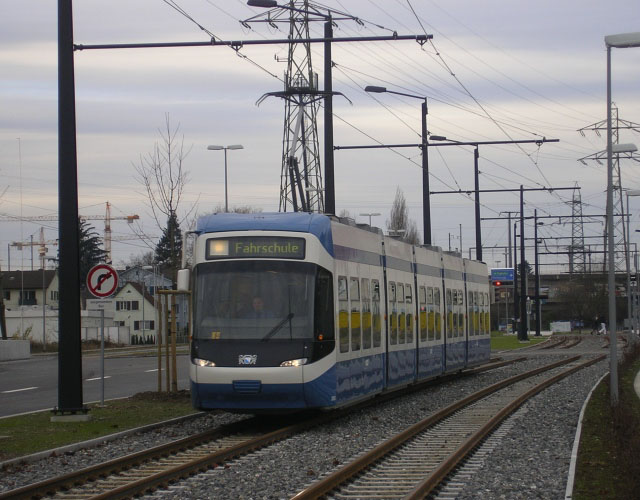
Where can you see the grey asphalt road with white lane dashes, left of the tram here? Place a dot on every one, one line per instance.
(32, 385)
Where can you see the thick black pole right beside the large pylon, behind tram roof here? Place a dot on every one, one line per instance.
(329, 182)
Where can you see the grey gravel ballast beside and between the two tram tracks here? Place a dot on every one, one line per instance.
(530, 460)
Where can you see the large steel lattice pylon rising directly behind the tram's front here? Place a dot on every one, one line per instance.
(301, 186)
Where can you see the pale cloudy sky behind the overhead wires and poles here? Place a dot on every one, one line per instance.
(495, 70)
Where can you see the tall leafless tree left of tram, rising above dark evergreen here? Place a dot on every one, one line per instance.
(164, 178)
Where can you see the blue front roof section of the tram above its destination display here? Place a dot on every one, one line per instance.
(300, 222)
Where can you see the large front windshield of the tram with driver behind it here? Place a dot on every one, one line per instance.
(254, 300)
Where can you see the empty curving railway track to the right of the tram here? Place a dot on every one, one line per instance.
(415, 462)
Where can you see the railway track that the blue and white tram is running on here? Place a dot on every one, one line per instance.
(158, 467)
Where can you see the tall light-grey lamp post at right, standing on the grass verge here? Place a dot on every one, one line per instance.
(621, 41)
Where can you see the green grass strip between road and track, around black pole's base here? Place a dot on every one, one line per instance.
(35, 432)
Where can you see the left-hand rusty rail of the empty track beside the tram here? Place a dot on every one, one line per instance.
(330, 482)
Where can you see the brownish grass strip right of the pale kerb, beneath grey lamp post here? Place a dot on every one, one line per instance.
(608, 460)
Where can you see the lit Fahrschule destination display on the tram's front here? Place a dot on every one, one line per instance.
(252, 247)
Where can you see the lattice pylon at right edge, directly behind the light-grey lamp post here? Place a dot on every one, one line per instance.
(620, 237)
